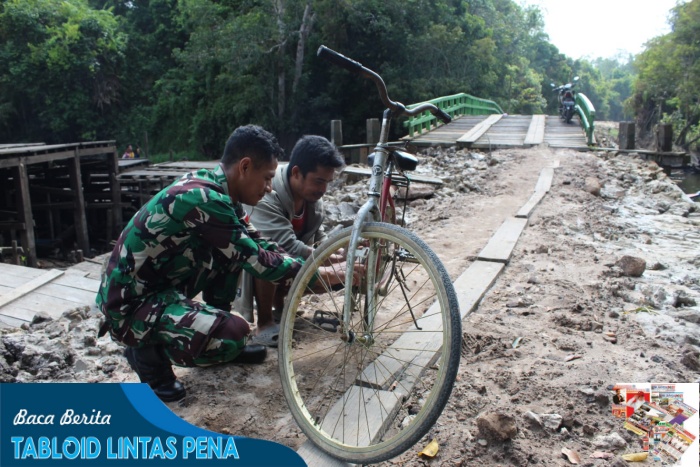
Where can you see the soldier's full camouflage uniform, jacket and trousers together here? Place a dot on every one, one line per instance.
(189, 238)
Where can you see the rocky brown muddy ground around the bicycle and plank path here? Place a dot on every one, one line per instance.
(582, 322)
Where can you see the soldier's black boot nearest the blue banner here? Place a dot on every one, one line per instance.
(154, 368)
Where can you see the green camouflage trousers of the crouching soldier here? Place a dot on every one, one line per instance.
(194, 333)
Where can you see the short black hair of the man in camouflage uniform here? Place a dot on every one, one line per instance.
(252, 141)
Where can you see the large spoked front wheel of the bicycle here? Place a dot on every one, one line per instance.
(400, 380)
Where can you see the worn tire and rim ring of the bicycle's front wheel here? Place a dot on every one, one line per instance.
(448, 372)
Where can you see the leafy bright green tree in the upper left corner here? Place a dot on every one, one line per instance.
(60, 63)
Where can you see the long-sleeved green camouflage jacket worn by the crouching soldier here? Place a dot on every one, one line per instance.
(188, 233)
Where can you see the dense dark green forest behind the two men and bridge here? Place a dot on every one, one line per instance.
(179, 75)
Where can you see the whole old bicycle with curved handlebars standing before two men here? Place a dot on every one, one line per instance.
(374, 363)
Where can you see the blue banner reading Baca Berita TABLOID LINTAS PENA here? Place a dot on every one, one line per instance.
(115, 424)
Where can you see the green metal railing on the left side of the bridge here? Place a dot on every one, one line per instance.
(457, 104)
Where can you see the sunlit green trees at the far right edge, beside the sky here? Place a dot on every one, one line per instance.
(667, 85)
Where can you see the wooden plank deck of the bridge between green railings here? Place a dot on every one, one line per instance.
(503, 131)
